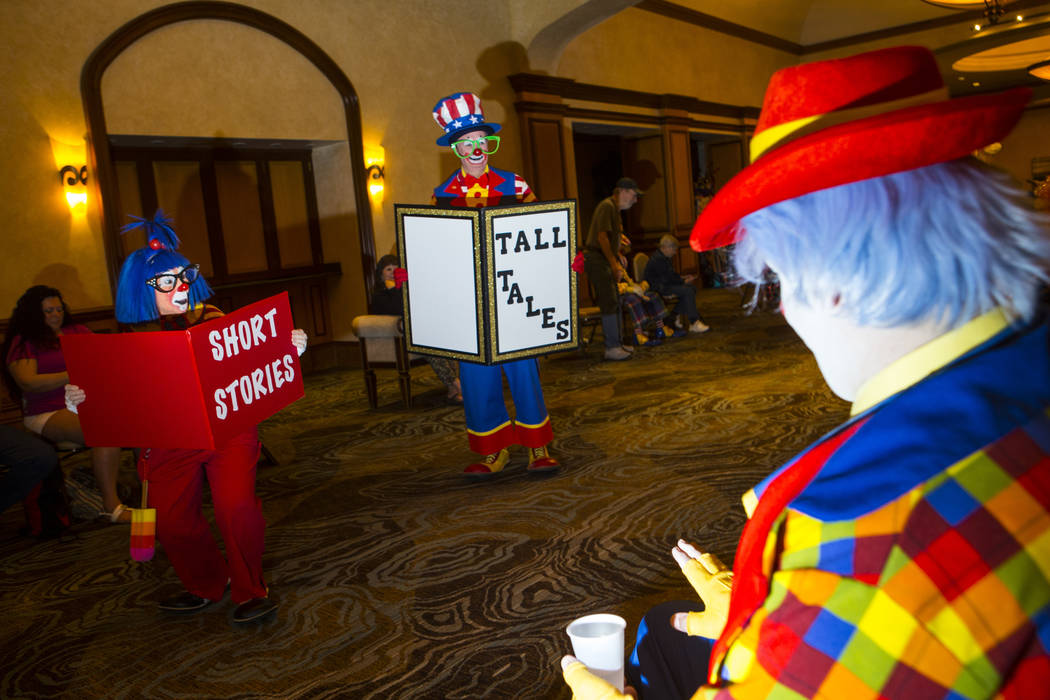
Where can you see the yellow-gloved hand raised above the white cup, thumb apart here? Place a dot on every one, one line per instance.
(713, 583)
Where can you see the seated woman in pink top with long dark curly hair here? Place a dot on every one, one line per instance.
(36, 374)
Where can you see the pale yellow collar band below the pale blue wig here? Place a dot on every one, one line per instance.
(926, 360)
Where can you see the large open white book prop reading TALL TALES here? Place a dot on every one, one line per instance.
(490, 285)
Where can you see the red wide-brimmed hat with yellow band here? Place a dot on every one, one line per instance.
(836, 122)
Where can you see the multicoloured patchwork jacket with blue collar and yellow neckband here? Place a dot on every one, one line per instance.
(908, 554)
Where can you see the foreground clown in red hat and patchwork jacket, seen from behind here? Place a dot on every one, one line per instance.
(907, 554)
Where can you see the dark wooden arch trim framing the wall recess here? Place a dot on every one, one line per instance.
(109, 51)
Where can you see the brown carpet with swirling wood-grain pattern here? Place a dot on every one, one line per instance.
(398, 579)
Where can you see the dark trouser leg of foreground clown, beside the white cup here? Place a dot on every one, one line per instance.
(666, 664)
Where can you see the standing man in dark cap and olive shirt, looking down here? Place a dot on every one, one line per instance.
(602, 262)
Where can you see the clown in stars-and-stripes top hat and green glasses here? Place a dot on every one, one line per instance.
(476, 184)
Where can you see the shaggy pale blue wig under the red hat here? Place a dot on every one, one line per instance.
(942, 244)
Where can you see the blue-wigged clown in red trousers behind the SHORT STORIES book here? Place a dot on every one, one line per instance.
(160, 290)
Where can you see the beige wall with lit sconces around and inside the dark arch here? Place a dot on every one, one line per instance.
(208, 78)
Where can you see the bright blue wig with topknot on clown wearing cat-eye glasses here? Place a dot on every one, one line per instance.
(136, 300)
